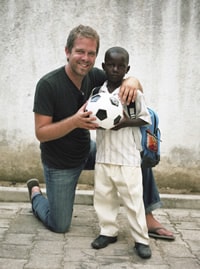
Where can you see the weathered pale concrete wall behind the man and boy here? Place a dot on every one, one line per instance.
(162, 37)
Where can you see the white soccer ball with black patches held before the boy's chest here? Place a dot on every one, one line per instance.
(106, 108)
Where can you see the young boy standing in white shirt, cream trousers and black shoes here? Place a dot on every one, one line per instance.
(117, 168)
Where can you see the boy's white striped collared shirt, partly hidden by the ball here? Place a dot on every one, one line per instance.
(122, 147)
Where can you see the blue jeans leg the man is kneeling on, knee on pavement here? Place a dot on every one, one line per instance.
(56, 211)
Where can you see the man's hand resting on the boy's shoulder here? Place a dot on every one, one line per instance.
(128, 90)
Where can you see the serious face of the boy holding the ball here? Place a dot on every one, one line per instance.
(116, 67)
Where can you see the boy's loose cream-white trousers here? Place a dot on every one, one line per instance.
(111, 180)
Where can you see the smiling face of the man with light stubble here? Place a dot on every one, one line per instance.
(82, 57)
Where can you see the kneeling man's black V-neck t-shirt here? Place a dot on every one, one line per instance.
(58, 97)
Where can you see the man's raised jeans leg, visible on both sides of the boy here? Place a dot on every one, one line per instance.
(151, 195)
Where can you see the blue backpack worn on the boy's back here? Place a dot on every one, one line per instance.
(151, 142)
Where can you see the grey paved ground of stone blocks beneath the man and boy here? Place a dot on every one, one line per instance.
(26, 243)
